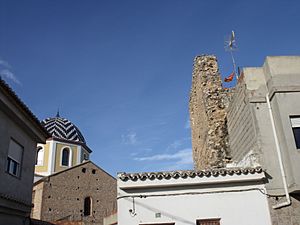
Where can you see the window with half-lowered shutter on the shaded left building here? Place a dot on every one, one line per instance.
(14, 158)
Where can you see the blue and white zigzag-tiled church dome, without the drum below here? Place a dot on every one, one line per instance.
(62, 128)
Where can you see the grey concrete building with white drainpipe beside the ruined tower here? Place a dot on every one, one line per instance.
(263, 125)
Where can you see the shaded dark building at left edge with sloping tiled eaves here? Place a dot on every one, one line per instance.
(20, 131)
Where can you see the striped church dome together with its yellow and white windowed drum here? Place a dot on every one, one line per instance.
(65, 148)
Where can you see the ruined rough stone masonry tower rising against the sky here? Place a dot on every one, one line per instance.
(208, 102)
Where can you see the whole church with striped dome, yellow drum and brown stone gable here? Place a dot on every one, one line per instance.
(68, 187)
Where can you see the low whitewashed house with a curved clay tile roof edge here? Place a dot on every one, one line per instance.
(231, 196)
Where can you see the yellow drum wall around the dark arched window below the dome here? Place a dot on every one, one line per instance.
(59, 148)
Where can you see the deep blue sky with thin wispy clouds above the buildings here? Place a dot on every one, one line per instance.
(121, 70)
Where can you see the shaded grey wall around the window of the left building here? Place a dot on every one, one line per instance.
(17, 190)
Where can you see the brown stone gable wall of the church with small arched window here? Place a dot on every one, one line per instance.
(64, 194)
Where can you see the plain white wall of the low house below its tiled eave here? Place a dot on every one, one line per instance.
(183, 205)
